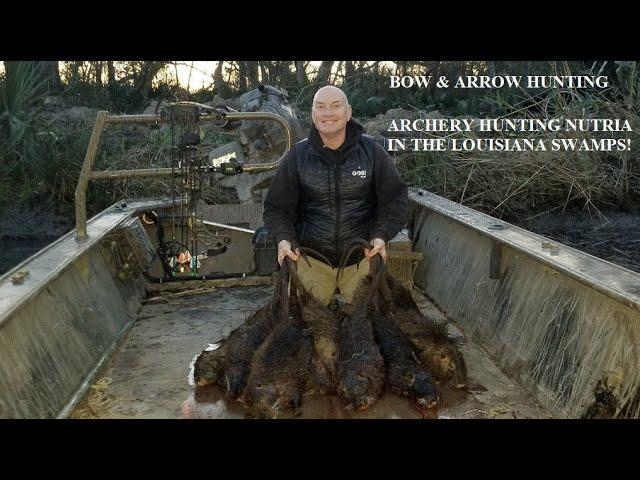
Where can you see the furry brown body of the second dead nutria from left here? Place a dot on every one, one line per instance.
(279, 372)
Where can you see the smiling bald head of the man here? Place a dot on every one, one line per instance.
(330, 111)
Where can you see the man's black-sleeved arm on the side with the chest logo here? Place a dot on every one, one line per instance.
(392, 193)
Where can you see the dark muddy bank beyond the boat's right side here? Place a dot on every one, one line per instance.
(615, 238)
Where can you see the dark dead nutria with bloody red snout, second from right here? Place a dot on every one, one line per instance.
(405, 375)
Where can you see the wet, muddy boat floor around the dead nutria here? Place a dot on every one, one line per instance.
(148, 374)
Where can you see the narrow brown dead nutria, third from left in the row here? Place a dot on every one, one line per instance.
(324, 328)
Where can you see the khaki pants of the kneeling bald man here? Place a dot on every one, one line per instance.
(320, 279)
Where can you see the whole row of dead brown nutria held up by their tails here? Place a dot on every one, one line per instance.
(294, 347)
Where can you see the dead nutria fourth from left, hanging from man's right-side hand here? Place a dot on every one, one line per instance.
(361, 371)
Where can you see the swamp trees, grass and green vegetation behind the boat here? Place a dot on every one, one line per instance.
(46, 118)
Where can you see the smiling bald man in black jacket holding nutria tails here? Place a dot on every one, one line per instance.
(331, 188)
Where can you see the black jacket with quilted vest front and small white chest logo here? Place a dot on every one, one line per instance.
(326, 198)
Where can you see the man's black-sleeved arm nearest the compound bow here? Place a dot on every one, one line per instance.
(281, 203)
